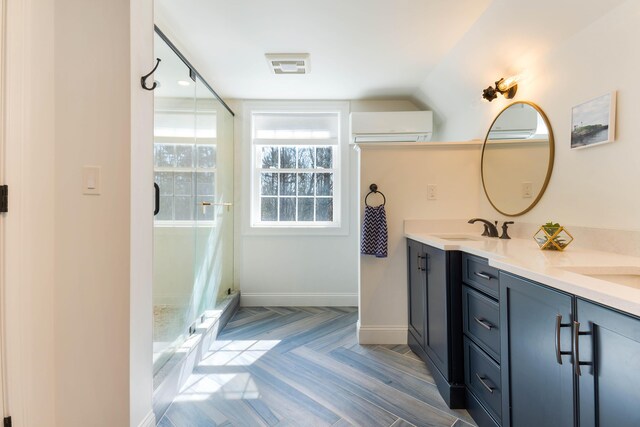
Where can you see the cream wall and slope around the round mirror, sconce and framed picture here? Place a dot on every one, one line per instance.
(580, 51)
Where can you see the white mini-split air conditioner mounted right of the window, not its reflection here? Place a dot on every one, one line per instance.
(393, 126)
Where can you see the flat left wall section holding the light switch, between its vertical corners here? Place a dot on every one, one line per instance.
(92, 246)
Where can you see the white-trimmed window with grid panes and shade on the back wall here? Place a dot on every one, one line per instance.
(296, 168)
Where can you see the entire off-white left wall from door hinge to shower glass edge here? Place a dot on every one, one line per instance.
(68, 269)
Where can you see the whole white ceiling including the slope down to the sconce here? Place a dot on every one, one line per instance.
(440, 52)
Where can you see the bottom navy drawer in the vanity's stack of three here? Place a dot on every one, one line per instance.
(482, 378)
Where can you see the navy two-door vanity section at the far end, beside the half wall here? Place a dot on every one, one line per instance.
(435, 316)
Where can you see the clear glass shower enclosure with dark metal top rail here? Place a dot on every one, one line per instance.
(193, 229)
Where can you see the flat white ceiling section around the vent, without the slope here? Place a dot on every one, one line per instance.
(358, 48)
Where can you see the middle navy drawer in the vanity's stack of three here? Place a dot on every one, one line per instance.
(481, 320)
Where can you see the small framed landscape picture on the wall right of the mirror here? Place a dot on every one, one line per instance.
(593, 122)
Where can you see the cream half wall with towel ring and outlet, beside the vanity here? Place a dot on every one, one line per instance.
(402, 174)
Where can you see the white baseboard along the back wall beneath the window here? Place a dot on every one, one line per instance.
(248, 299)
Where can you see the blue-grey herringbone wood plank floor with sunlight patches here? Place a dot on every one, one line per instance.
(302, 366)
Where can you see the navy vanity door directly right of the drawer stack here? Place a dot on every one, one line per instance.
(537, 369)
